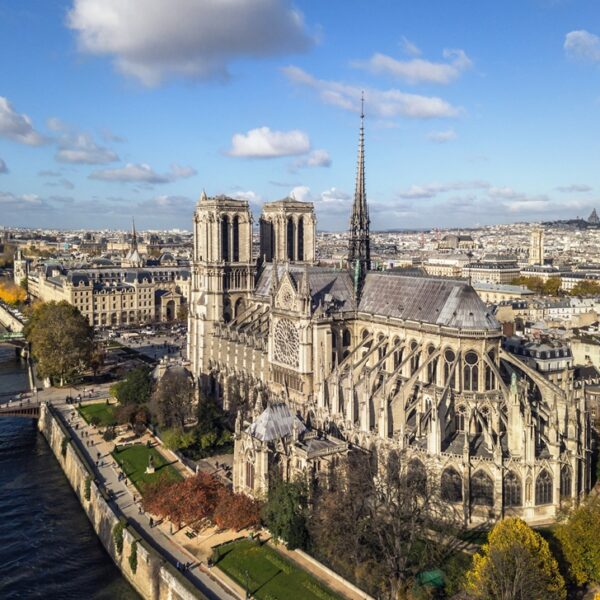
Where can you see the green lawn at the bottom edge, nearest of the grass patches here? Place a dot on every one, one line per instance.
(270, 575)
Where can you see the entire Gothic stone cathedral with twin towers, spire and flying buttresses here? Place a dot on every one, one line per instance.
(316, 360)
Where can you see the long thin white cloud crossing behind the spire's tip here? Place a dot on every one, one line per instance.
(382, 103)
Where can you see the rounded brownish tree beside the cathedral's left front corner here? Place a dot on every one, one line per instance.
(173, 400)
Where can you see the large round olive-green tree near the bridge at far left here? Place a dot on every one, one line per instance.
(62, 340)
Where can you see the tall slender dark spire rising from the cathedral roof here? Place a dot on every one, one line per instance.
(359, 250)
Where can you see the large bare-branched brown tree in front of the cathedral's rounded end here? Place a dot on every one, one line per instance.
(388, 520)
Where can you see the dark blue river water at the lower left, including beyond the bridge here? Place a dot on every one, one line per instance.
(48, 548)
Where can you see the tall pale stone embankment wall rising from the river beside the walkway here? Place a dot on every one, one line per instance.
(151, 576)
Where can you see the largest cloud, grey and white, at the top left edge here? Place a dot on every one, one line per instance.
(154, 40)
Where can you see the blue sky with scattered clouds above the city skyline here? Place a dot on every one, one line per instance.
(476, 111)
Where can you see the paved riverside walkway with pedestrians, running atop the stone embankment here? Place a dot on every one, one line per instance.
(157, 536)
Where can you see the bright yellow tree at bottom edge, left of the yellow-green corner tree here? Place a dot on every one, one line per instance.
(515, 563)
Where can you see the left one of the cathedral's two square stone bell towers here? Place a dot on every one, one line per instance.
(222, 270)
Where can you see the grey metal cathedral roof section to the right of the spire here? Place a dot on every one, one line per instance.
(439, 301)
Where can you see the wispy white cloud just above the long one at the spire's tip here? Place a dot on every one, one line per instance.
(418, 70)
